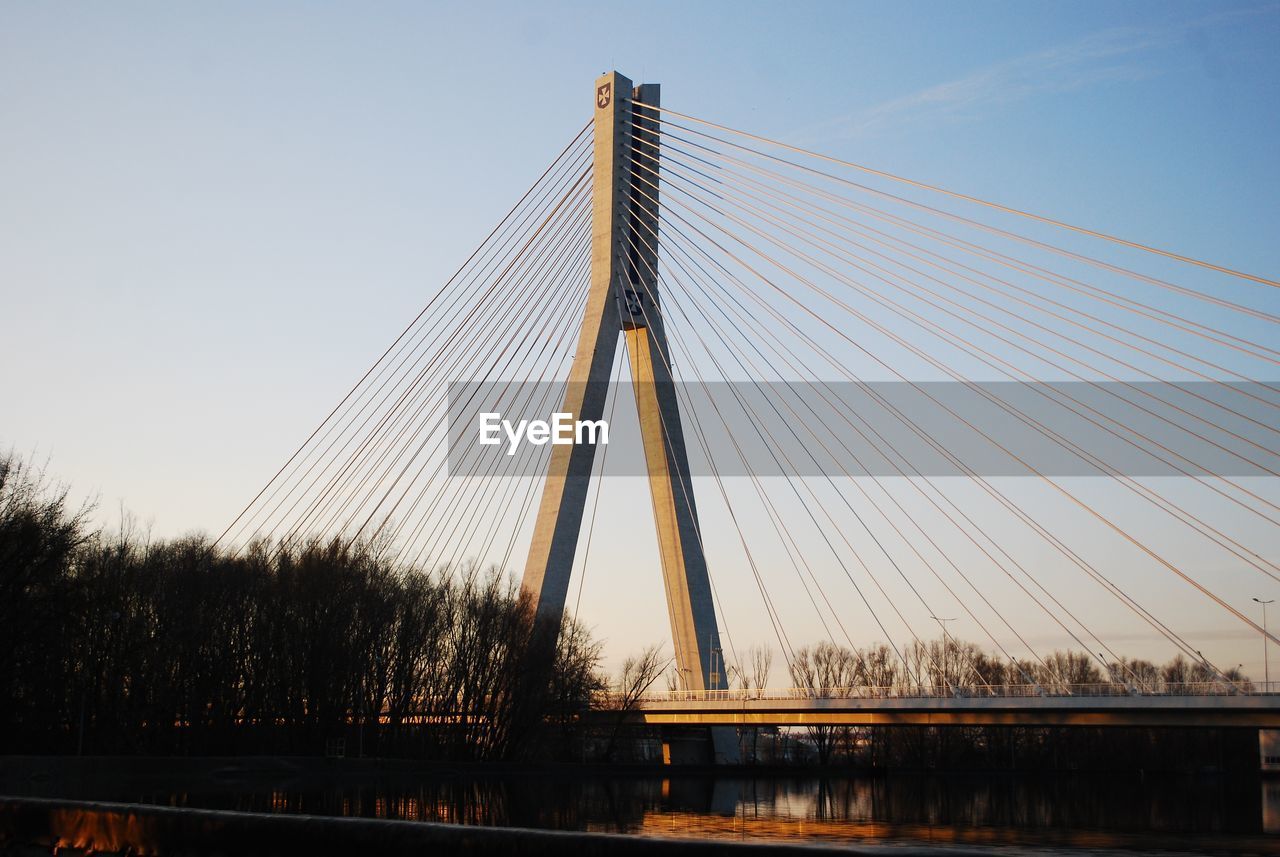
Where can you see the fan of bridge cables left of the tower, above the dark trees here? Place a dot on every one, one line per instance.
(382, 465)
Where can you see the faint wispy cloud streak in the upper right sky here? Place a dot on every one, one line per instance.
(1117, 56)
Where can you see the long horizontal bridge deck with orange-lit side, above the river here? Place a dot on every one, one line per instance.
(1081, 705)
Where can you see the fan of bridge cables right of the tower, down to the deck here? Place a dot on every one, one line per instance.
(776, 273)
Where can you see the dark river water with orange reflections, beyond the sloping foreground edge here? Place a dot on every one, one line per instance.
(1176, 813)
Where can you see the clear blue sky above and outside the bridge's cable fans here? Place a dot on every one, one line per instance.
(214, 216)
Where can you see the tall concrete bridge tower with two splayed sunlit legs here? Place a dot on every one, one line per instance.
(624, 297)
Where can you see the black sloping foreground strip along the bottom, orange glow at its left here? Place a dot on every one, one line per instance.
(43, 827)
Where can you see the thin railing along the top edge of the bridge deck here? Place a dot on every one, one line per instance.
(980, 691)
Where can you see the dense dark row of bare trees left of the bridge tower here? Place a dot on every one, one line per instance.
(116, 644)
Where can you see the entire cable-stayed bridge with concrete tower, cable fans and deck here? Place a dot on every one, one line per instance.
(908, 416)
